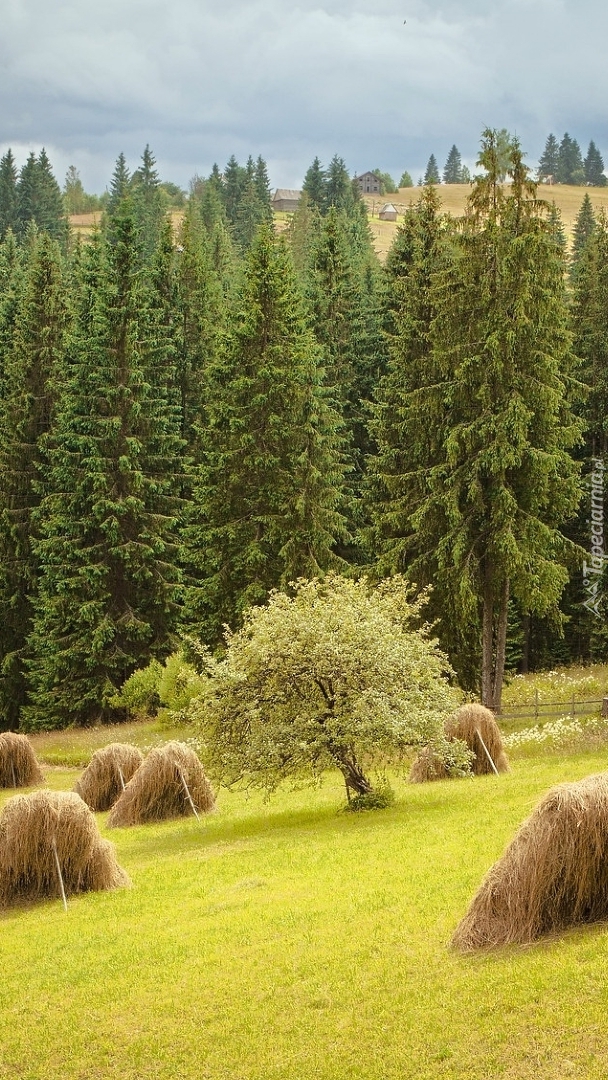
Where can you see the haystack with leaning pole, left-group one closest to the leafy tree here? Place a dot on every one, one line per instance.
(158, 789)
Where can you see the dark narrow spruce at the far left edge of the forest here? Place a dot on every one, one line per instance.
(31, 385)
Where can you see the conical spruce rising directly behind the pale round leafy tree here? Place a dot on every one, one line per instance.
(267, 492)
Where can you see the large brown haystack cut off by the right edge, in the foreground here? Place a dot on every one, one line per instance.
(555, 873)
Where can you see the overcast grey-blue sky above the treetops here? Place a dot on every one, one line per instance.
(199, 82)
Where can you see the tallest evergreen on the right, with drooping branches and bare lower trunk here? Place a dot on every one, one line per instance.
(484, 522)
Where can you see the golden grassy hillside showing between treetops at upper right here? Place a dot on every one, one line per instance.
(454, 198)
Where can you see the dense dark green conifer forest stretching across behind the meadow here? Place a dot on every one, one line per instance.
(194, 418)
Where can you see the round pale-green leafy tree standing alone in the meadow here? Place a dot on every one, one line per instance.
(339, 674)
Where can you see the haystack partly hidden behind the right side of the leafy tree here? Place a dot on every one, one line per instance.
(476, 726)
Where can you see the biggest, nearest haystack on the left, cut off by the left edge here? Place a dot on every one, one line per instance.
(33, 828)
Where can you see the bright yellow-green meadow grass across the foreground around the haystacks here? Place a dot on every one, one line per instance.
(288, 940)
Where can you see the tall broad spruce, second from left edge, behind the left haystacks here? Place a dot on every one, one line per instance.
(106, 602)
